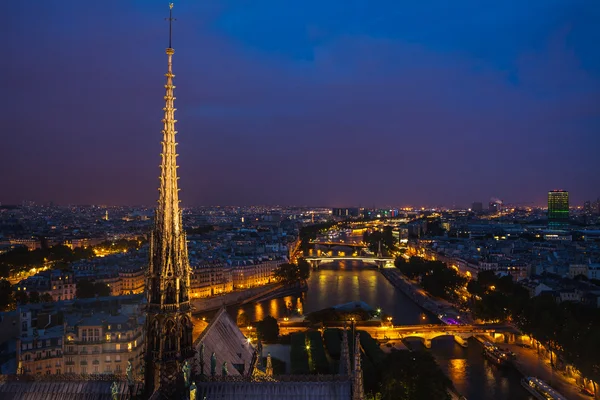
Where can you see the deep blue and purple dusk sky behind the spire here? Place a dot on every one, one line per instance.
(314, 102)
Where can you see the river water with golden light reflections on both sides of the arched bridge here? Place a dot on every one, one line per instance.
(341, 282)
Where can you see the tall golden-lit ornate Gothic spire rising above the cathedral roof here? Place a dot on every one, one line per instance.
(168, 319)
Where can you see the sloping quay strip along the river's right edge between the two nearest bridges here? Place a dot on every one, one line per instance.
(440, 308)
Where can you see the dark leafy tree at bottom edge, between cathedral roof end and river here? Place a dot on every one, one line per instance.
(413, 376)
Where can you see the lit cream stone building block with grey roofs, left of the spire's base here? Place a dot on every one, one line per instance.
(77, 343)
